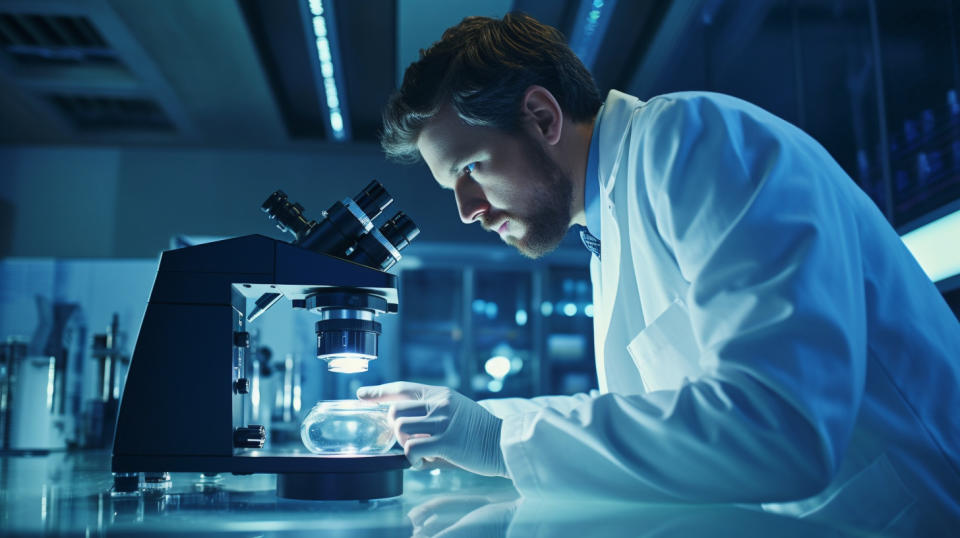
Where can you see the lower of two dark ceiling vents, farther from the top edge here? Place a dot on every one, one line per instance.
(102, 113)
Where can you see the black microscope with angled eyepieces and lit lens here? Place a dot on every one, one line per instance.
(183, 404)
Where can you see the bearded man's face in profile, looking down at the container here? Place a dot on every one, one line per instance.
(505, 181)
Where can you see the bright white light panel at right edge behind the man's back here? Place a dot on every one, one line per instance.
(935, 246)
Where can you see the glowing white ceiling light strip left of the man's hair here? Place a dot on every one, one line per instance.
(325, 35)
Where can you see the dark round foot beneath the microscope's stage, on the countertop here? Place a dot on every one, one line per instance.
(340, 486)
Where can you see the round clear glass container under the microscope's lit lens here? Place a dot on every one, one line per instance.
(347, 427)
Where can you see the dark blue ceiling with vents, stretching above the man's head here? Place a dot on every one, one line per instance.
(249, 74)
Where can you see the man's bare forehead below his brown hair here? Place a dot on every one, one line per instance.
(446, 140)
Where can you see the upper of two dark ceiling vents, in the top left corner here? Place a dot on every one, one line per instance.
(53, 39)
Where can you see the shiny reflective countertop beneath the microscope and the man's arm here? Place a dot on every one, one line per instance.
(69, 493)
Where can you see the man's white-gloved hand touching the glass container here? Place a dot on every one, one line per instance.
(437, 422)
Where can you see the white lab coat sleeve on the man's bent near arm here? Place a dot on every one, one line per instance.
(744, 202)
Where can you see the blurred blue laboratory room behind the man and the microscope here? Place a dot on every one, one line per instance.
(129, 127)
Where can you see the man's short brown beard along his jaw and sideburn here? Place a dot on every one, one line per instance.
(547, 225)
